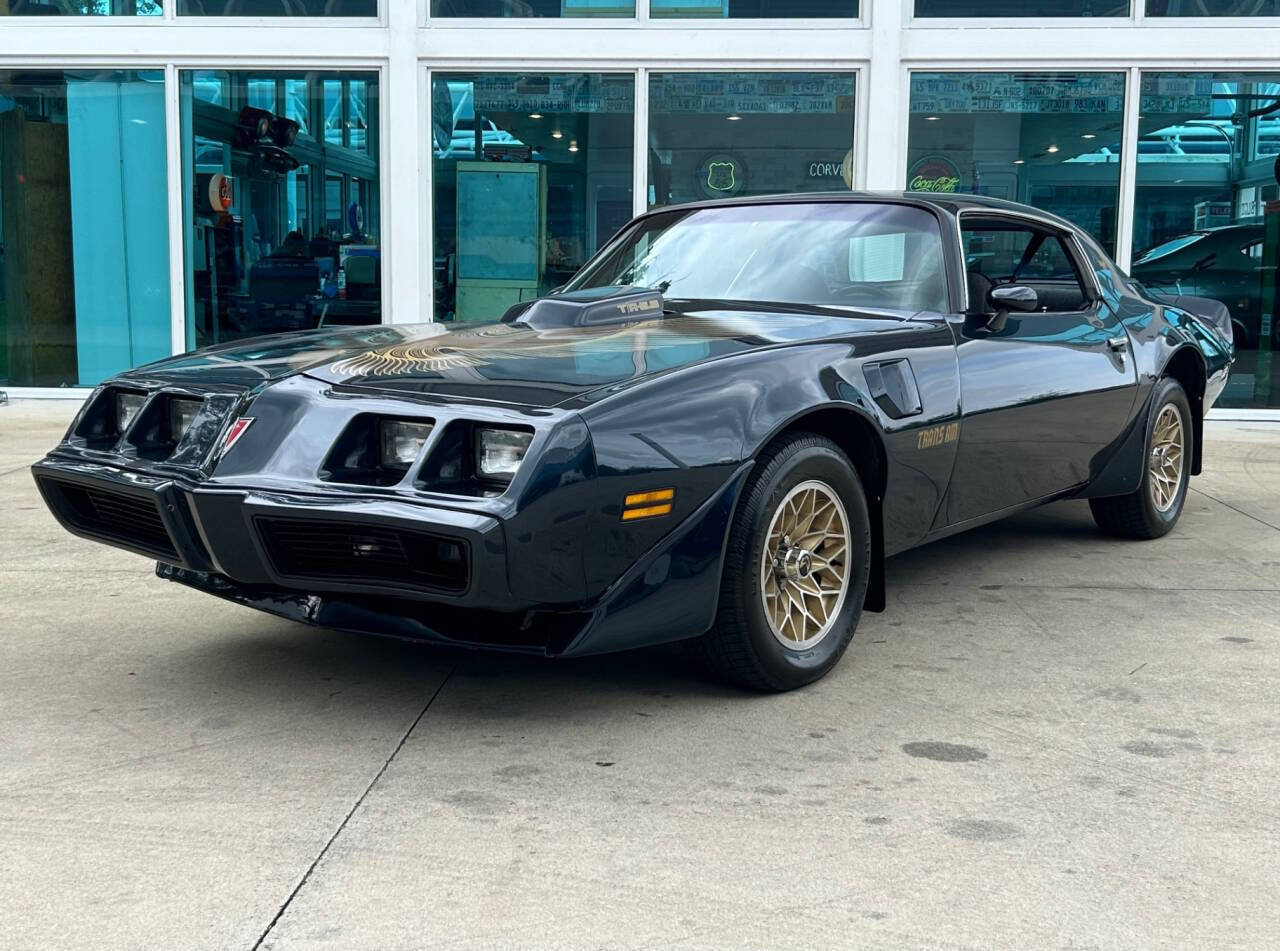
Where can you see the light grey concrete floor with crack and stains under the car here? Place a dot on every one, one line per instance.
(1052, 740)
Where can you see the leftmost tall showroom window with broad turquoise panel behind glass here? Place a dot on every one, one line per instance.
(84, 226)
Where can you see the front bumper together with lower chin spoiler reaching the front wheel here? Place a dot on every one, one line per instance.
(218, 541)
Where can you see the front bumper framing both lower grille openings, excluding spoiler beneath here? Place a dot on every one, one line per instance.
(376, 546)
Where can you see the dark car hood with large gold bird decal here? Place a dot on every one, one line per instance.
(511, 363)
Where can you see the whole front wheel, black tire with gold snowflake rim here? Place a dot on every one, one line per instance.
(797, 569)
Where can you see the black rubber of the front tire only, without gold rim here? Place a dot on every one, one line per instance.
(742, 648)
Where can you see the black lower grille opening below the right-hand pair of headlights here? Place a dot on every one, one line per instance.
(358, 554)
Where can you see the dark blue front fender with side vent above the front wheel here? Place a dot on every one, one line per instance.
(693, 429)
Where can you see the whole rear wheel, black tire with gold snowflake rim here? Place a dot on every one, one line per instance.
(1155, 507)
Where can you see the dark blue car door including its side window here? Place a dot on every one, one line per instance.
(1044, 395)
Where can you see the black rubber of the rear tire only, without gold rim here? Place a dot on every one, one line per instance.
(1137, 516)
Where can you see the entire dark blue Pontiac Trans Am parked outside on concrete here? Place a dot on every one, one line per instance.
(717, 432)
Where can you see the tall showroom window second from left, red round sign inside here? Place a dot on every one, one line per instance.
(281, 185)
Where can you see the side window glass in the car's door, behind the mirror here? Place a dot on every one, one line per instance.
(1005, 253)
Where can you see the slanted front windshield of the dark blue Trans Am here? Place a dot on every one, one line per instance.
(830, 255)
